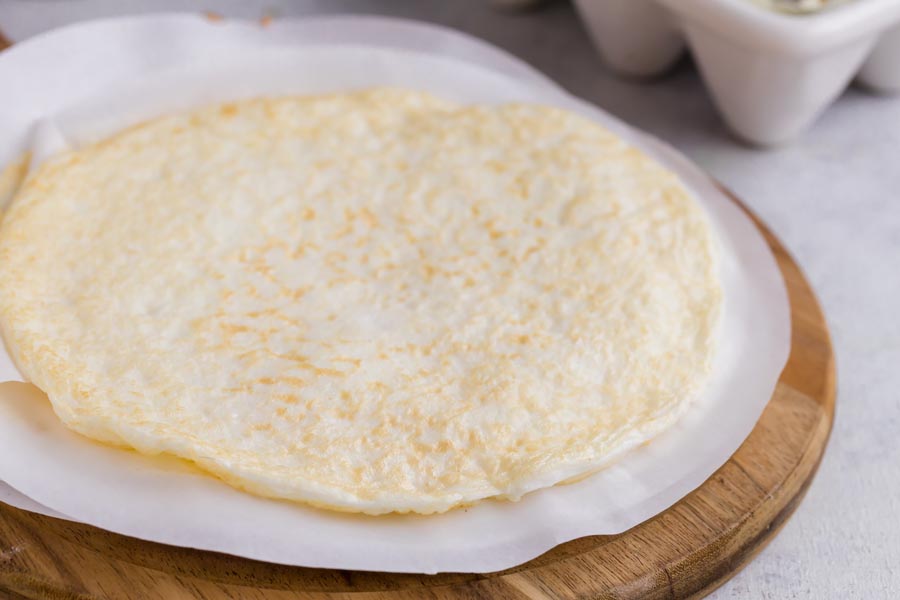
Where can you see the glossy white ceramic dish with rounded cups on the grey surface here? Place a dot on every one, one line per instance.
(770, 74)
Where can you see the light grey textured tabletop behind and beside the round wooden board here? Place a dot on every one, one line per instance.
(833, 198)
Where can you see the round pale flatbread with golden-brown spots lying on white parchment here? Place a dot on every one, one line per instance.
(374, 301)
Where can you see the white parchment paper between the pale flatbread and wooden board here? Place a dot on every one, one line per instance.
(166, 501)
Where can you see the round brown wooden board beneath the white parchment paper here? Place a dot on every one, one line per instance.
(684, 552)
